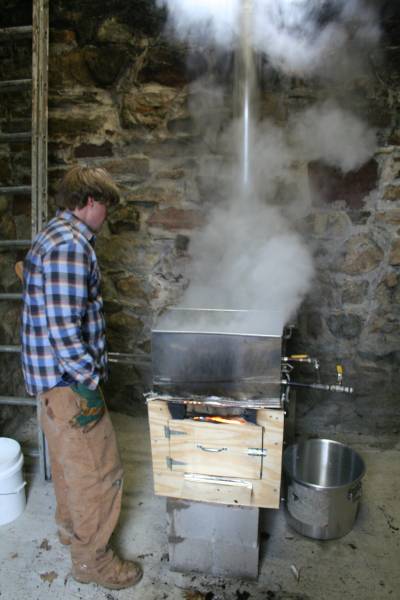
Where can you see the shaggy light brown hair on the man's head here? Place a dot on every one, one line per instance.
(81, 182)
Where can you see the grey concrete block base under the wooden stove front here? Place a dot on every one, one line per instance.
(213, 538)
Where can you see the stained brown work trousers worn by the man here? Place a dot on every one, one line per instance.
(87, 476)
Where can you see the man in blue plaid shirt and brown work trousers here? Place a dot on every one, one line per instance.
(64, 359)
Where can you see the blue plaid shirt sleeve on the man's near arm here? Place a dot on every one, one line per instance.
(66, 276)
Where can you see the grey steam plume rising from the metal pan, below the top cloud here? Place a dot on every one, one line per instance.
(248, 256)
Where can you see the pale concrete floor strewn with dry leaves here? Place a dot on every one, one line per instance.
(362, 565)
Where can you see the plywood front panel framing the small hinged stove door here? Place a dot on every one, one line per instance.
(262, 491)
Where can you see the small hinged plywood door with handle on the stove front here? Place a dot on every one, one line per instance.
(215, 449)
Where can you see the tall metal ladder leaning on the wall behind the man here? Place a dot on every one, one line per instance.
(39, 32)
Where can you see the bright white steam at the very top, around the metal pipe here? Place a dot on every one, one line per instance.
(298, 36)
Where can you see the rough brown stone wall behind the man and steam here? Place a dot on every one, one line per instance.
(119, 97)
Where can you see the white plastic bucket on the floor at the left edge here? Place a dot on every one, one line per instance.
(12, 484)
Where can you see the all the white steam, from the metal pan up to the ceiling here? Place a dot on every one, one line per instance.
(248, 255)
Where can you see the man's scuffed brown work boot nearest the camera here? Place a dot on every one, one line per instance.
(116, 575)
